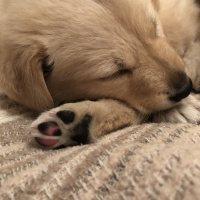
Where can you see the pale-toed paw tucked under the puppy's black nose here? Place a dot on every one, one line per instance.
(188, 111)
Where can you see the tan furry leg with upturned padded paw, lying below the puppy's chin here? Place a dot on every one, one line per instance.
(83, 122)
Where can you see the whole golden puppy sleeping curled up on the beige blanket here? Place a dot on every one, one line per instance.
(139, 53)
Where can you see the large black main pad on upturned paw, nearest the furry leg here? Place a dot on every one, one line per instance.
(81, 131)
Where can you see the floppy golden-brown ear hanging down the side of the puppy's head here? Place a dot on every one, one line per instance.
(21, 78)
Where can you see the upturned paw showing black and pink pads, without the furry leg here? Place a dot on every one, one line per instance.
(61, 127)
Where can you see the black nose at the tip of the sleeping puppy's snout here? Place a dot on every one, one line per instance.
(182, 88)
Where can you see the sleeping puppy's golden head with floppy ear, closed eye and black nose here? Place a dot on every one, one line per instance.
(100, 49)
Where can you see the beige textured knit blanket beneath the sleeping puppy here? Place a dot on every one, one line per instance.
(150, 161)
